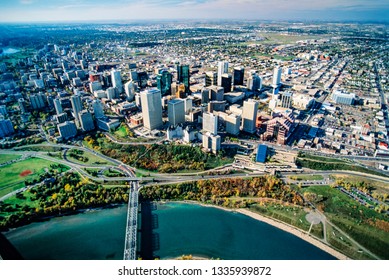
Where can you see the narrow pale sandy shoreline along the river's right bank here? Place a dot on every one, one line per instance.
(283, 226)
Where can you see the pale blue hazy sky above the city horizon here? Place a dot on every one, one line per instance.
(128, 10)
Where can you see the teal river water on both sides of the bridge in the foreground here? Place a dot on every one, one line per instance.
(179, 228)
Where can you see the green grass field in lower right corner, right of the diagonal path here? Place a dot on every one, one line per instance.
(358, 221)
